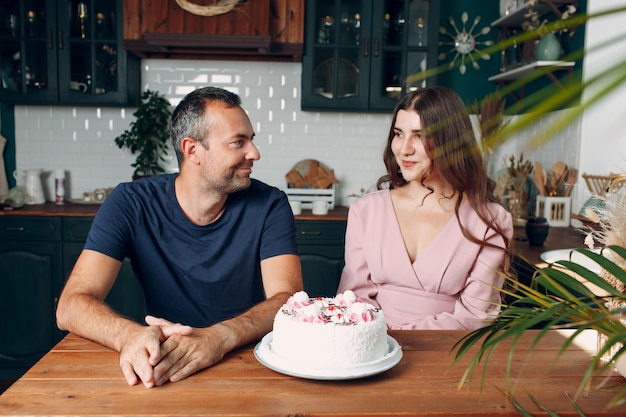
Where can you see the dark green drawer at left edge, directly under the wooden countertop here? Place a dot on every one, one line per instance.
(30, 228)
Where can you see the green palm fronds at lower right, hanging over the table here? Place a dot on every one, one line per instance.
(555, 300)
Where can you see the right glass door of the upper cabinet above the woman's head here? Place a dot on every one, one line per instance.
(404, 54)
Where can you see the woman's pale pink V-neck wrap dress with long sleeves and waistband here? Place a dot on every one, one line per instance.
(453, 284)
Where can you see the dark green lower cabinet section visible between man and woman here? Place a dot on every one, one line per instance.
(321, 248)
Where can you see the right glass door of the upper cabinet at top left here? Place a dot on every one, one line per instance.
(88, 54)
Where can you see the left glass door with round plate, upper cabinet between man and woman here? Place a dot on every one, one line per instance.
(338, 47)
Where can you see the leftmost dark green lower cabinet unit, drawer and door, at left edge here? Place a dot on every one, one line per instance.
(30, 284)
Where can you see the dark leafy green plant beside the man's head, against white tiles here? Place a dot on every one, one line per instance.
(148, 135)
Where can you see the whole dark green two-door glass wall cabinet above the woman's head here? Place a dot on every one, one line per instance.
(367, 55)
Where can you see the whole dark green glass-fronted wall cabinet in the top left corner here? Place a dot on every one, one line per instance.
(66, 52)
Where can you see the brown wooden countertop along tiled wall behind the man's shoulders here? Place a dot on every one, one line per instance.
(89, 210)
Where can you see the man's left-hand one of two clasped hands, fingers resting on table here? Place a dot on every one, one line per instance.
(143, 350)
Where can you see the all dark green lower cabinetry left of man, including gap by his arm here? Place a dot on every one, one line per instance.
(37, 254)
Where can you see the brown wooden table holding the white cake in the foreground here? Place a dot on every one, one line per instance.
(79, 377)
